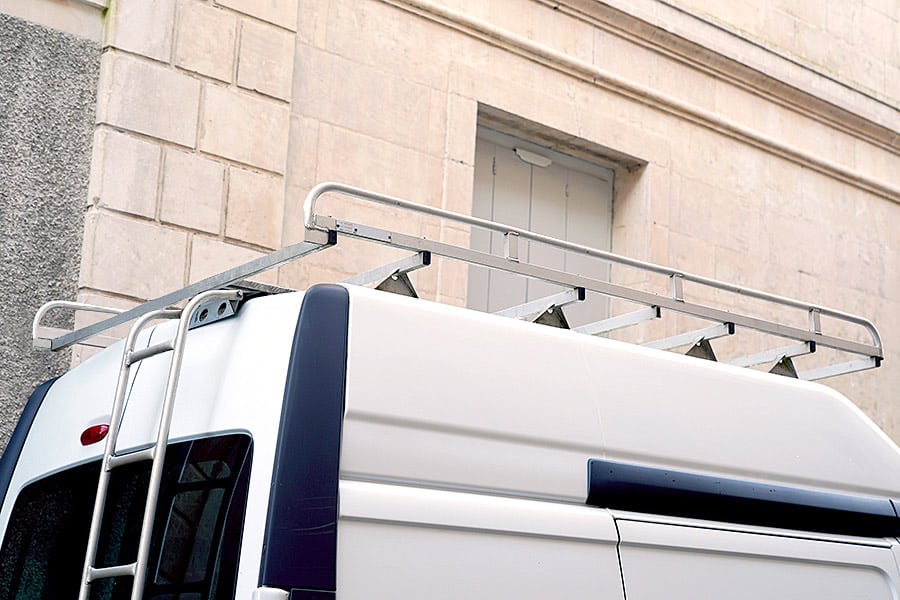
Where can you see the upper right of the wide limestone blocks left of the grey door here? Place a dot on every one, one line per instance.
(243, 127)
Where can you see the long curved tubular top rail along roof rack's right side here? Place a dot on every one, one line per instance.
(315, 222)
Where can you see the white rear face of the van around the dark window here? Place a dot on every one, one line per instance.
(232, 381)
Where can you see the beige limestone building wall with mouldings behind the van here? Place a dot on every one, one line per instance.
(757, 146)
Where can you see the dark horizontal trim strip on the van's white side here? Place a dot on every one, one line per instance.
(670, 492)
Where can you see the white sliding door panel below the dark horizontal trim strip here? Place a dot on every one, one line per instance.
(677, 562)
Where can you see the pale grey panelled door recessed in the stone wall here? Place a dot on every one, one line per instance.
(533, 188)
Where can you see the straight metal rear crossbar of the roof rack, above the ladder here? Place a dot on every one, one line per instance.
(315, 241)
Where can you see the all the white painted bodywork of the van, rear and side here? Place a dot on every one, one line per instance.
(465, 446)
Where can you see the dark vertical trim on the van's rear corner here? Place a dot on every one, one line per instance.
(300, 542)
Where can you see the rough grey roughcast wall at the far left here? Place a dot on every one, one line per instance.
(48, 83)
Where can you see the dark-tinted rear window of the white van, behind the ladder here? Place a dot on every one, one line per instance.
(196, 534)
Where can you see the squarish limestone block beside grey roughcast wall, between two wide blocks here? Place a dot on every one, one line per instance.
(124, 173)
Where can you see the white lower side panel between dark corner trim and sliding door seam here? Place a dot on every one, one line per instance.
(400, 542)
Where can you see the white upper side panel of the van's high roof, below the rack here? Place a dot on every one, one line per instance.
(515, 408)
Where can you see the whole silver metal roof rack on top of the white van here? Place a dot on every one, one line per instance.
(324, 231)
